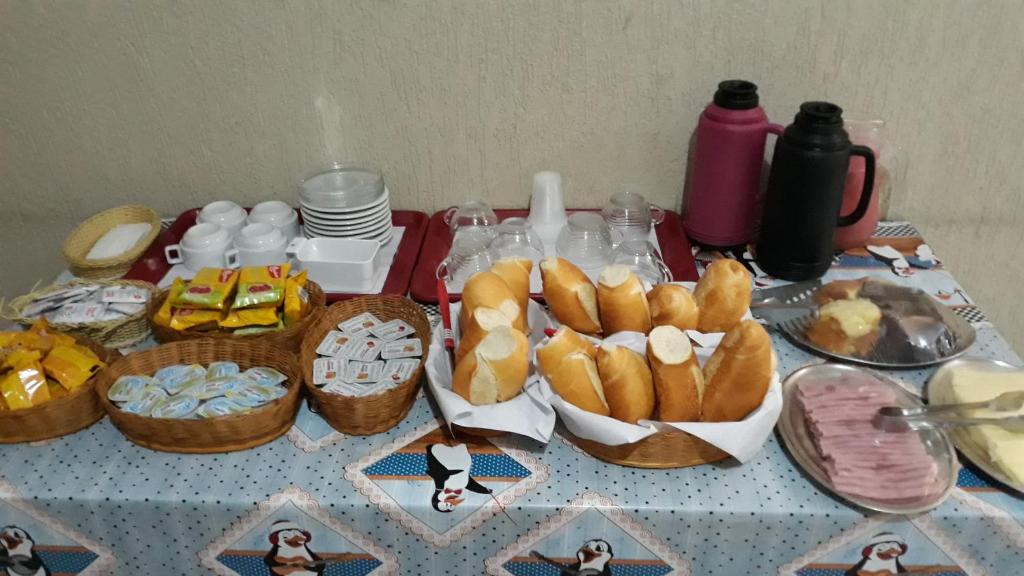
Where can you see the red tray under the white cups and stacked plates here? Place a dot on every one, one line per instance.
(153, 267)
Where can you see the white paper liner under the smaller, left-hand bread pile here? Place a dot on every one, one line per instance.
(528, 415)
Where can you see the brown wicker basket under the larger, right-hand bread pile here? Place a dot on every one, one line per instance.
(671, 449)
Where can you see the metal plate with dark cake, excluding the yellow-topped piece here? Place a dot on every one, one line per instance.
(916, 331)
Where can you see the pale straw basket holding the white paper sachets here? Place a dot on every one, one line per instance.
(114, 335)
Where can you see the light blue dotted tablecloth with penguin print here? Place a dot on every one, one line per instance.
(414, 501)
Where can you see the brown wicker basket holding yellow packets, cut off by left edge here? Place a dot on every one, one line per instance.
(61, 417)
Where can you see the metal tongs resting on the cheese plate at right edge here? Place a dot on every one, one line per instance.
(894, 419)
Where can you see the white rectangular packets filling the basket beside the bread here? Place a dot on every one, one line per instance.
(366, 356)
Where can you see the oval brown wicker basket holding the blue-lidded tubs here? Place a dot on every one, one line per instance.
(226, 434)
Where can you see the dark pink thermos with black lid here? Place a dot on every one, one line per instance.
(724, 200)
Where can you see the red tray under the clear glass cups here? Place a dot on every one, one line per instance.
(675, 251)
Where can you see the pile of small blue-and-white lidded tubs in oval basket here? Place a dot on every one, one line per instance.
(195, 392)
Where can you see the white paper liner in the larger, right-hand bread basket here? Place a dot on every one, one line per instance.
(742, 440)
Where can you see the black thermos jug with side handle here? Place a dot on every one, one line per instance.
(805, 194)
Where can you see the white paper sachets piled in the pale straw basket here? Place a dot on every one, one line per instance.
(82, 305)
